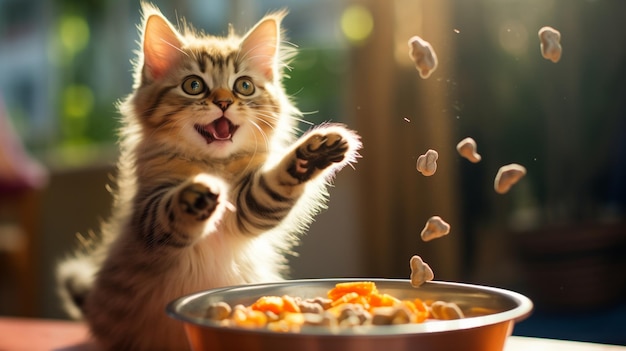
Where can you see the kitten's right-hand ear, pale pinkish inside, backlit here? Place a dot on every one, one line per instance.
(260, 45)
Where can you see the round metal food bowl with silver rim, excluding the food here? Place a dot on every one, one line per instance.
(490, 316)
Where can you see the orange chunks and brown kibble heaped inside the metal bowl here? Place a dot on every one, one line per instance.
(348, 304)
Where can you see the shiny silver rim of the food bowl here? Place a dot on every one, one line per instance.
(523, 308)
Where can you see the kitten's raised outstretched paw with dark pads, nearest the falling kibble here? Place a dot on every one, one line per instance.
(318, 152)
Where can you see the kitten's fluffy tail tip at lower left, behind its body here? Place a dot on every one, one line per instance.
(75, 276)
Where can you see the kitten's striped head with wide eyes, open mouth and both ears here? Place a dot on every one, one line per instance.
(209, 96)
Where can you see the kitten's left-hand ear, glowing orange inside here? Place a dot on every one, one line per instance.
(161, 46)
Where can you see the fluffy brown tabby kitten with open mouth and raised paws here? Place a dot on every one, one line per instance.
(213, 188)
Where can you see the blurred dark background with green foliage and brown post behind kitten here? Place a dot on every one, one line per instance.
(559, 235)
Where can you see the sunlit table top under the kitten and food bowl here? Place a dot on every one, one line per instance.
(17, 334)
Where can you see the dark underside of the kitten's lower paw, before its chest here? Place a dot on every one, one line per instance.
(198, 200)
